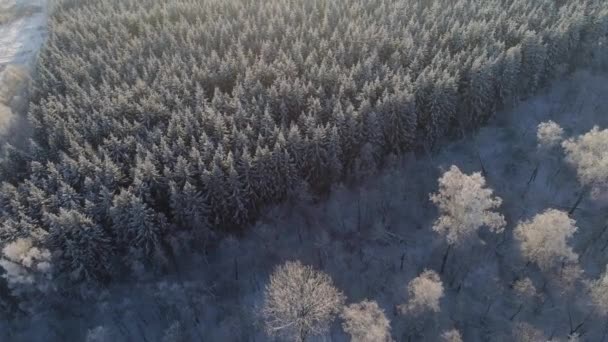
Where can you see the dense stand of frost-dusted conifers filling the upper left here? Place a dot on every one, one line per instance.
(152, 119)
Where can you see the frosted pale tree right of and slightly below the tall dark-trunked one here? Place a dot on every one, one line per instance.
(544, 239)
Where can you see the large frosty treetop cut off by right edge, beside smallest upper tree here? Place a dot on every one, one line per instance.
(589, 154)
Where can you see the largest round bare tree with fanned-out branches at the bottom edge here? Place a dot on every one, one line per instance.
(300, 301)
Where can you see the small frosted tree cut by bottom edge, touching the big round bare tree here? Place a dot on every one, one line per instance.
(366, 322)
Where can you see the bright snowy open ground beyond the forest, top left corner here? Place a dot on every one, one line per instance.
(22, 31)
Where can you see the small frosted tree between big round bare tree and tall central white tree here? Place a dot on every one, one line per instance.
(425, 292)
